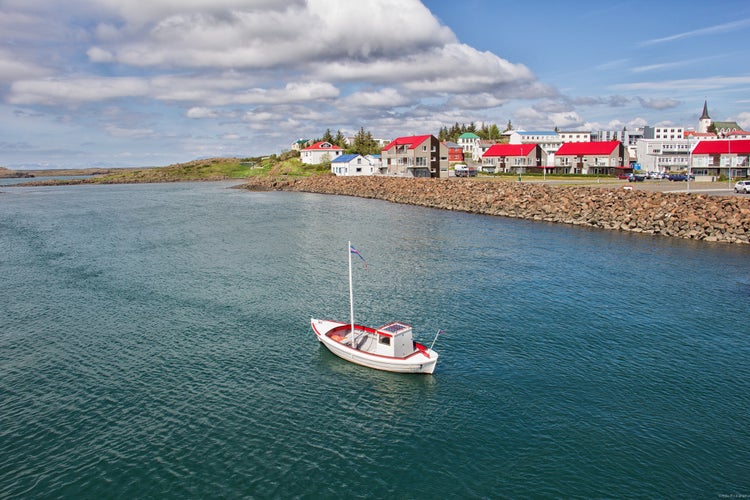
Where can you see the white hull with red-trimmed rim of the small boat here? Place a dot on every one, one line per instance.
(423, 360)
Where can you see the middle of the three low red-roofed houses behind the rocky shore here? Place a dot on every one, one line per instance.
(602, 158)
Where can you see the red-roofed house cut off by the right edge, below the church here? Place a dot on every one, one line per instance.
(728, 158)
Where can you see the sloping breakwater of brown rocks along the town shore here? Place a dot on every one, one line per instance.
(682, 215)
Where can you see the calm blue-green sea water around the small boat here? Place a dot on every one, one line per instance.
(155, 343)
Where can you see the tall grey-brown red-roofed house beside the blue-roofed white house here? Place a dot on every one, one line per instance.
(416, 156)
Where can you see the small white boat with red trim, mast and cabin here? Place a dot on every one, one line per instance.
(390, 347)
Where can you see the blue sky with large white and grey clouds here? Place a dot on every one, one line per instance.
(115, 83)
